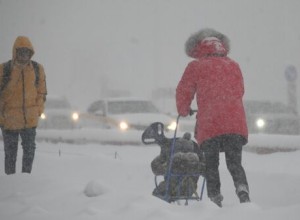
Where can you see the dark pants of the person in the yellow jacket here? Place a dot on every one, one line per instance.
(10, 139)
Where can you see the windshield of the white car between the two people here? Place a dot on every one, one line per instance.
(121, 107)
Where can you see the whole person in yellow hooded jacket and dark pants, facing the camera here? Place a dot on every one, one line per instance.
(22, 96)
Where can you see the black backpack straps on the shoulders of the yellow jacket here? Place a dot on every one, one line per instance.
(7, 73)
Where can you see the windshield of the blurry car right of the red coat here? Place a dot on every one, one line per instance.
(266, 107)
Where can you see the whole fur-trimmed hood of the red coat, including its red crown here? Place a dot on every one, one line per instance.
(194, 45)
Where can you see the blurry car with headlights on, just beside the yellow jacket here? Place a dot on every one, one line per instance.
(58, 114)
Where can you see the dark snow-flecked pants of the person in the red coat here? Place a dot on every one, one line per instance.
(232, 146)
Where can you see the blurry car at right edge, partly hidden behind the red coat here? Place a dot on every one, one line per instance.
(271, 118)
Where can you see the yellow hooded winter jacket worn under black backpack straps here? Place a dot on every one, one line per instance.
(21, 101)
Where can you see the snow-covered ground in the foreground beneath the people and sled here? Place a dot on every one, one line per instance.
(97, 181)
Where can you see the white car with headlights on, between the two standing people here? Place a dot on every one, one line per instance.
(127, 113)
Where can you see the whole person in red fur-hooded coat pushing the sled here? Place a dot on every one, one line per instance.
(217, 82)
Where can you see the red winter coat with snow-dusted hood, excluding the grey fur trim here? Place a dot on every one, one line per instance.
(218, 84)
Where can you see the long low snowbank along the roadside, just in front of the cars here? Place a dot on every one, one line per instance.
(258, 143)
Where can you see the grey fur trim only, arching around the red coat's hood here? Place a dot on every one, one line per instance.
(196, 38)
